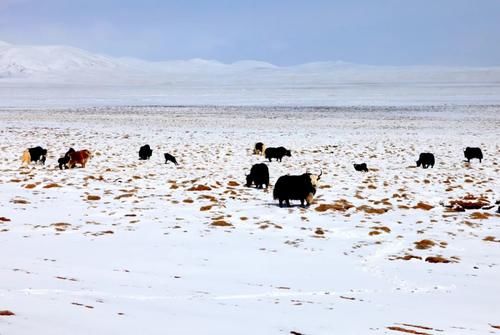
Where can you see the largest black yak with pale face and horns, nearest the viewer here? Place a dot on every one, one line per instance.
(301, 187)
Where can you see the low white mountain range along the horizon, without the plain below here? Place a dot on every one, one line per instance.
(64, 64)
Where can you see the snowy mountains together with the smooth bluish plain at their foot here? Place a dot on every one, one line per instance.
(39, 75)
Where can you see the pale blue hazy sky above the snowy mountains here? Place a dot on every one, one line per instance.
(284, 32)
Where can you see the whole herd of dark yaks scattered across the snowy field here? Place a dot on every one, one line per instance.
(287, 187)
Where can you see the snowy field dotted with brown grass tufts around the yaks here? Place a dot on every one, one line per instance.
(139, 247)
